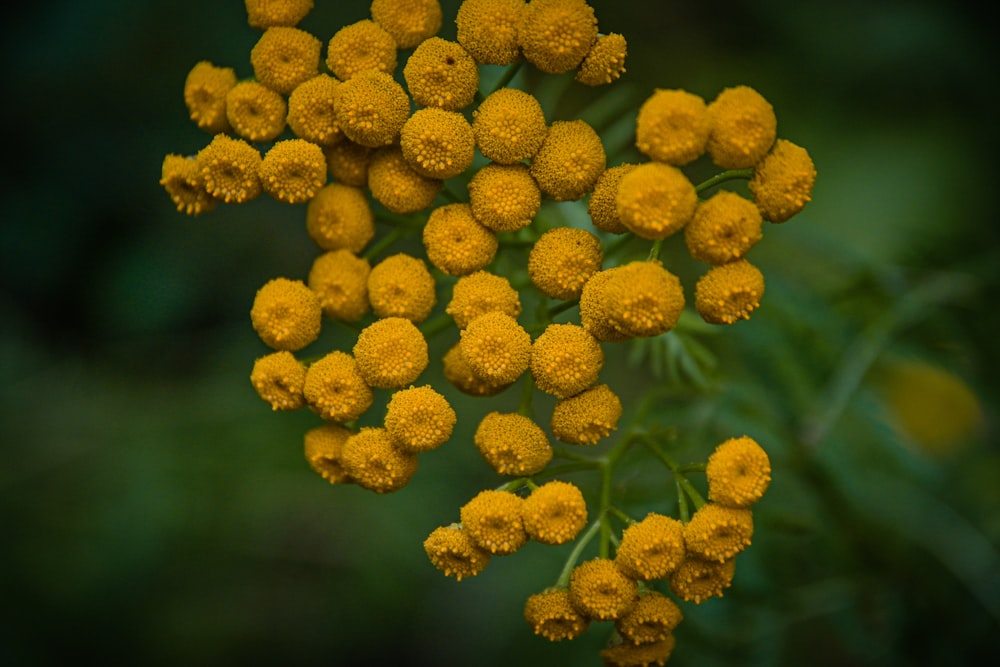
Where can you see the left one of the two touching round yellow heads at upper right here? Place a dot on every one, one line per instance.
(672, 127)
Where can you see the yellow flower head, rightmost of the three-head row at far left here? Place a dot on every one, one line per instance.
(293, 171)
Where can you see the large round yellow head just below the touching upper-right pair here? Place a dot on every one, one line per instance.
(655, 200)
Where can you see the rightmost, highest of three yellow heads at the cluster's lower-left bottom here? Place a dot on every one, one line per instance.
(419, 419)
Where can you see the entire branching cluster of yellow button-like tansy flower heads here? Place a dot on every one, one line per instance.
(370, 127)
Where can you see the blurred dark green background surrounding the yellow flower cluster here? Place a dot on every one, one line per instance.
(155, 511)
